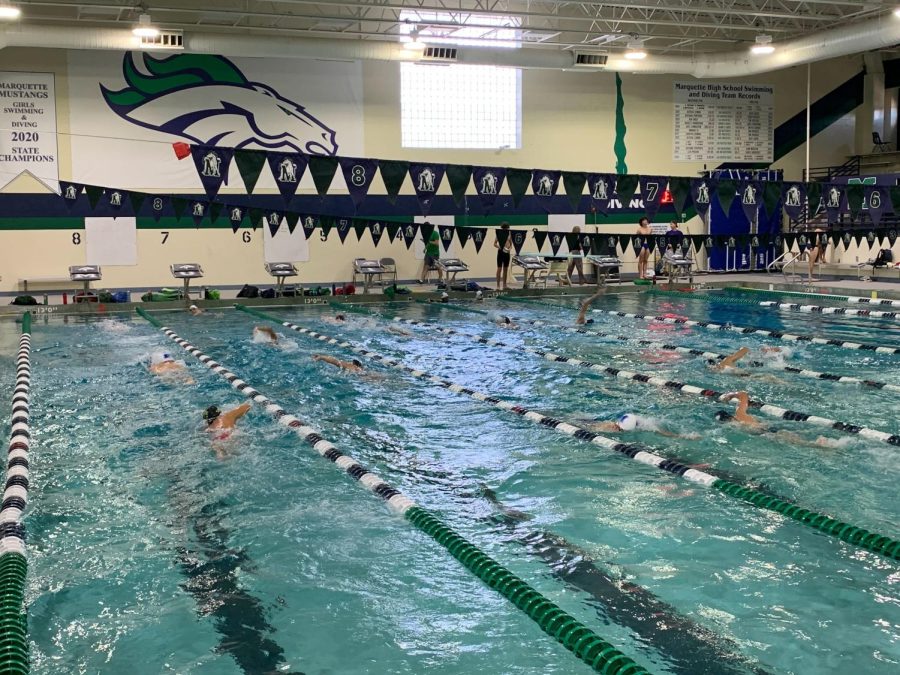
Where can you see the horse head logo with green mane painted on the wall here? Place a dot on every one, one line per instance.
(207, 100)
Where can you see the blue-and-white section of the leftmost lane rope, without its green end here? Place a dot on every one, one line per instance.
(15, 495)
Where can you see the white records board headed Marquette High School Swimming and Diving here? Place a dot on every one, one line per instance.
(723, 122)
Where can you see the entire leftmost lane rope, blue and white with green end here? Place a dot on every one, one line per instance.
(14, 658)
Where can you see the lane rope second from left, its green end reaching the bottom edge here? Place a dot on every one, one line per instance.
(572, 634)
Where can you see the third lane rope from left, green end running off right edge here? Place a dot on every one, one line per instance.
(871, 541)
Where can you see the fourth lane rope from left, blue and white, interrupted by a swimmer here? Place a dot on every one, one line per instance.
(673, 385)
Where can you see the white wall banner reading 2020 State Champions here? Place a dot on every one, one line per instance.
(28, 128)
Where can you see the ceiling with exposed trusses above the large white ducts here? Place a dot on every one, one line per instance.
(666, 26)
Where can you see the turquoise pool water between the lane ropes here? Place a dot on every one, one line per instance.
(150, 555)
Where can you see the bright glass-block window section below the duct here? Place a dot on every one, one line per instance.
(460, 106)
